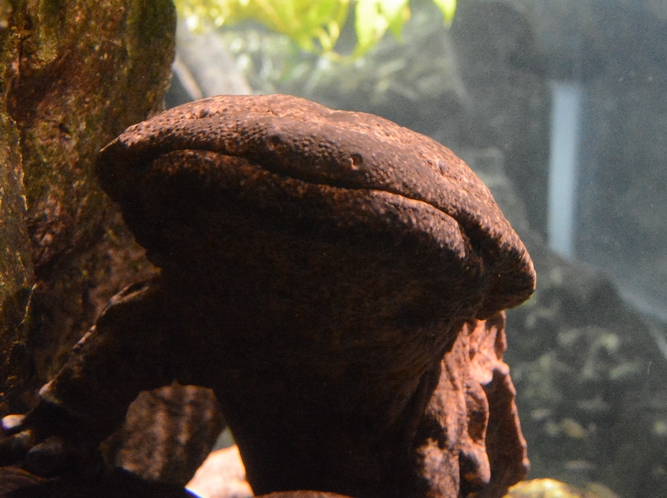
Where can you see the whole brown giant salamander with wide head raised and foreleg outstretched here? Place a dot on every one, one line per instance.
(337, 280)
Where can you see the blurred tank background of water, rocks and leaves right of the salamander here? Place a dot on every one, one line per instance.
(560, 106)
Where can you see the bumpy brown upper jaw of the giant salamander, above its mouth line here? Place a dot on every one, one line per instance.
(295, 138)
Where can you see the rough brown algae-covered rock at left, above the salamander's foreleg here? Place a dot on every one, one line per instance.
(75, 73)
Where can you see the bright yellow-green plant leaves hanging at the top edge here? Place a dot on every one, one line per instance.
(314, 25)
